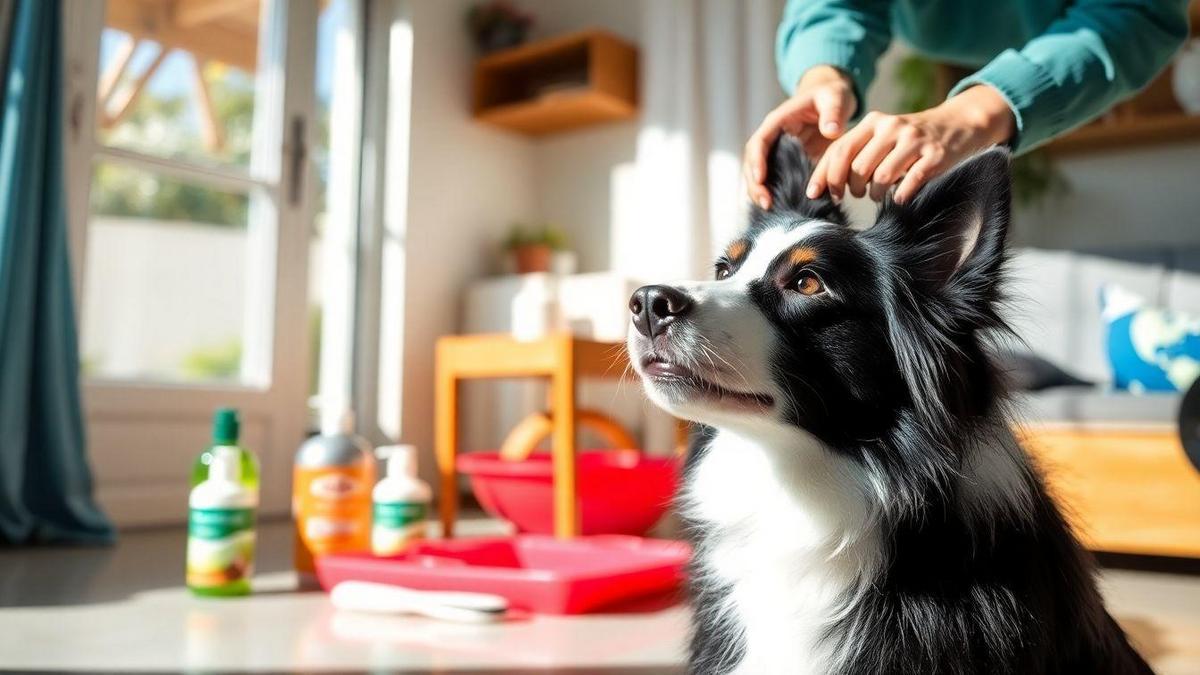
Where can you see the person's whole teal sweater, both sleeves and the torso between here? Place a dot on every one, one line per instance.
(1058, 63)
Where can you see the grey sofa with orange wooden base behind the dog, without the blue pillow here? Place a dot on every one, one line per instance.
(1114, 458)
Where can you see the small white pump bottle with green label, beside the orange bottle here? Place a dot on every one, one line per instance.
(400, 503)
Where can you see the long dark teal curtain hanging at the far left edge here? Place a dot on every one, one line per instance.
(45, 481)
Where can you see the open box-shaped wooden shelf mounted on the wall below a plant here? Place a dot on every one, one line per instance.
(559, 85)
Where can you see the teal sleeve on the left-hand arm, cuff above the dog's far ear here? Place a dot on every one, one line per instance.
(849, 35)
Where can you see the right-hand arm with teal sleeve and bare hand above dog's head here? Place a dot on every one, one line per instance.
(1100, 52)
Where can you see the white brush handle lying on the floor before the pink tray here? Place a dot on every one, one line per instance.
(386, 599)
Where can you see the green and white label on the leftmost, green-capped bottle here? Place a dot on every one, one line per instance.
(220, 546)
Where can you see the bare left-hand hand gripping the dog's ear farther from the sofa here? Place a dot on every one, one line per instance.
(817, 115)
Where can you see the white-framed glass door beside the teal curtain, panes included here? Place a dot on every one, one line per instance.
(193, 193)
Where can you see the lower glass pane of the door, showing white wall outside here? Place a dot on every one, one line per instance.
(166, 277)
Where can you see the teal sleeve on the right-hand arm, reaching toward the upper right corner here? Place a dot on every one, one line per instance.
(1100, 52)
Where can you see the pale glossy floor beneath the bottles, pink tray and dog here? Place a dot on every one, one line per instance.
(124, 610)
